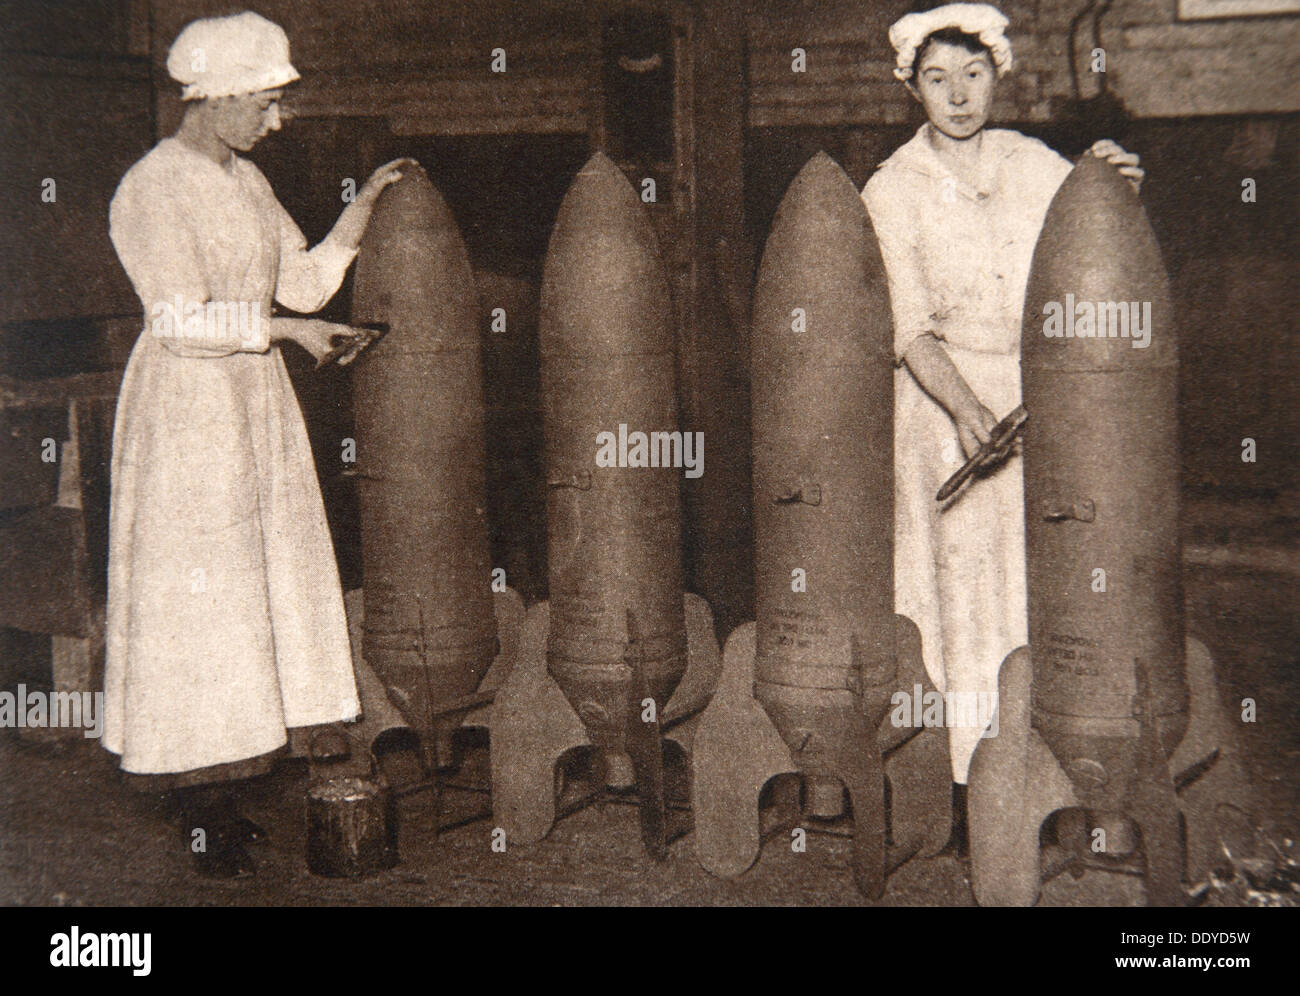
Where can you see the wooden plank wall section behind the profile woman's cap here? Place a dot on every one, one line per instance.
(427, 68)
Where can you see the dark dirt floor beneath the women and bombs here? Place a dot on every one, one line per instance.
(75, 835)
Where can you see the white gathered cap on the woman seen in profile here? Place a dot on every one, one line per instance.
(222, 57)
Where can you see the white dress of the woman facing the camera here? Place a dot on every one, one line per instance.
(957, 258)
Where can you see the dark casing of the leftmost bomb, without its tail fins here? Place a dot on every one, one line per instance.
(430, 620)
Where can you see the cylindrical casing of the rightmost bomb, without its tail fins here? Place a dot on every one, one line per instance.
(1102, 486)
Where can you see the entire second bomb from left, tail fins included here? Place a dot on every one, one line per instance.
(603, 660)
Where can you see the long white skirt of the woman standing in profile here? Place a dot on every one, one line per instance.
(226, 617)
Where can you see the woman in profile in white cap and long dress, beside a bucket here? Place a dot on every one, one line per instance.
(226, 617)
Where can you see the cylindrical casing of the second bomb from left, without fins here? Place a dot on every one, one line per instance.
(618, 629)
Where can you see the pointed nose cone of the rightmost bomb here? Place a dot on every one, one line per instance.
(1098, 267)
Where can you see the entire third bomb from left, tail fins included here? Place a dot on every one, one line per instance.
(808, 687)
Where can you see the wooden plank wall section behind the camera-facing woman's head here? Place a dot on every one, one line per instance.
(1159, 66)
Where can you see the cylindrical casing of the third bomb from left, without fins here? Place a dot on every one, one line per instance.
(824, 444)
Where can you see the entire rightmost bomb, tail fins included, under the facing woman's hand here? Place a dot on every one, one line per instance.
(1111, 716)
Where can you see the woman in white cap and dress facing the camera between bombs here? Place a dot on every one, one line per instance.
(959, 210)
